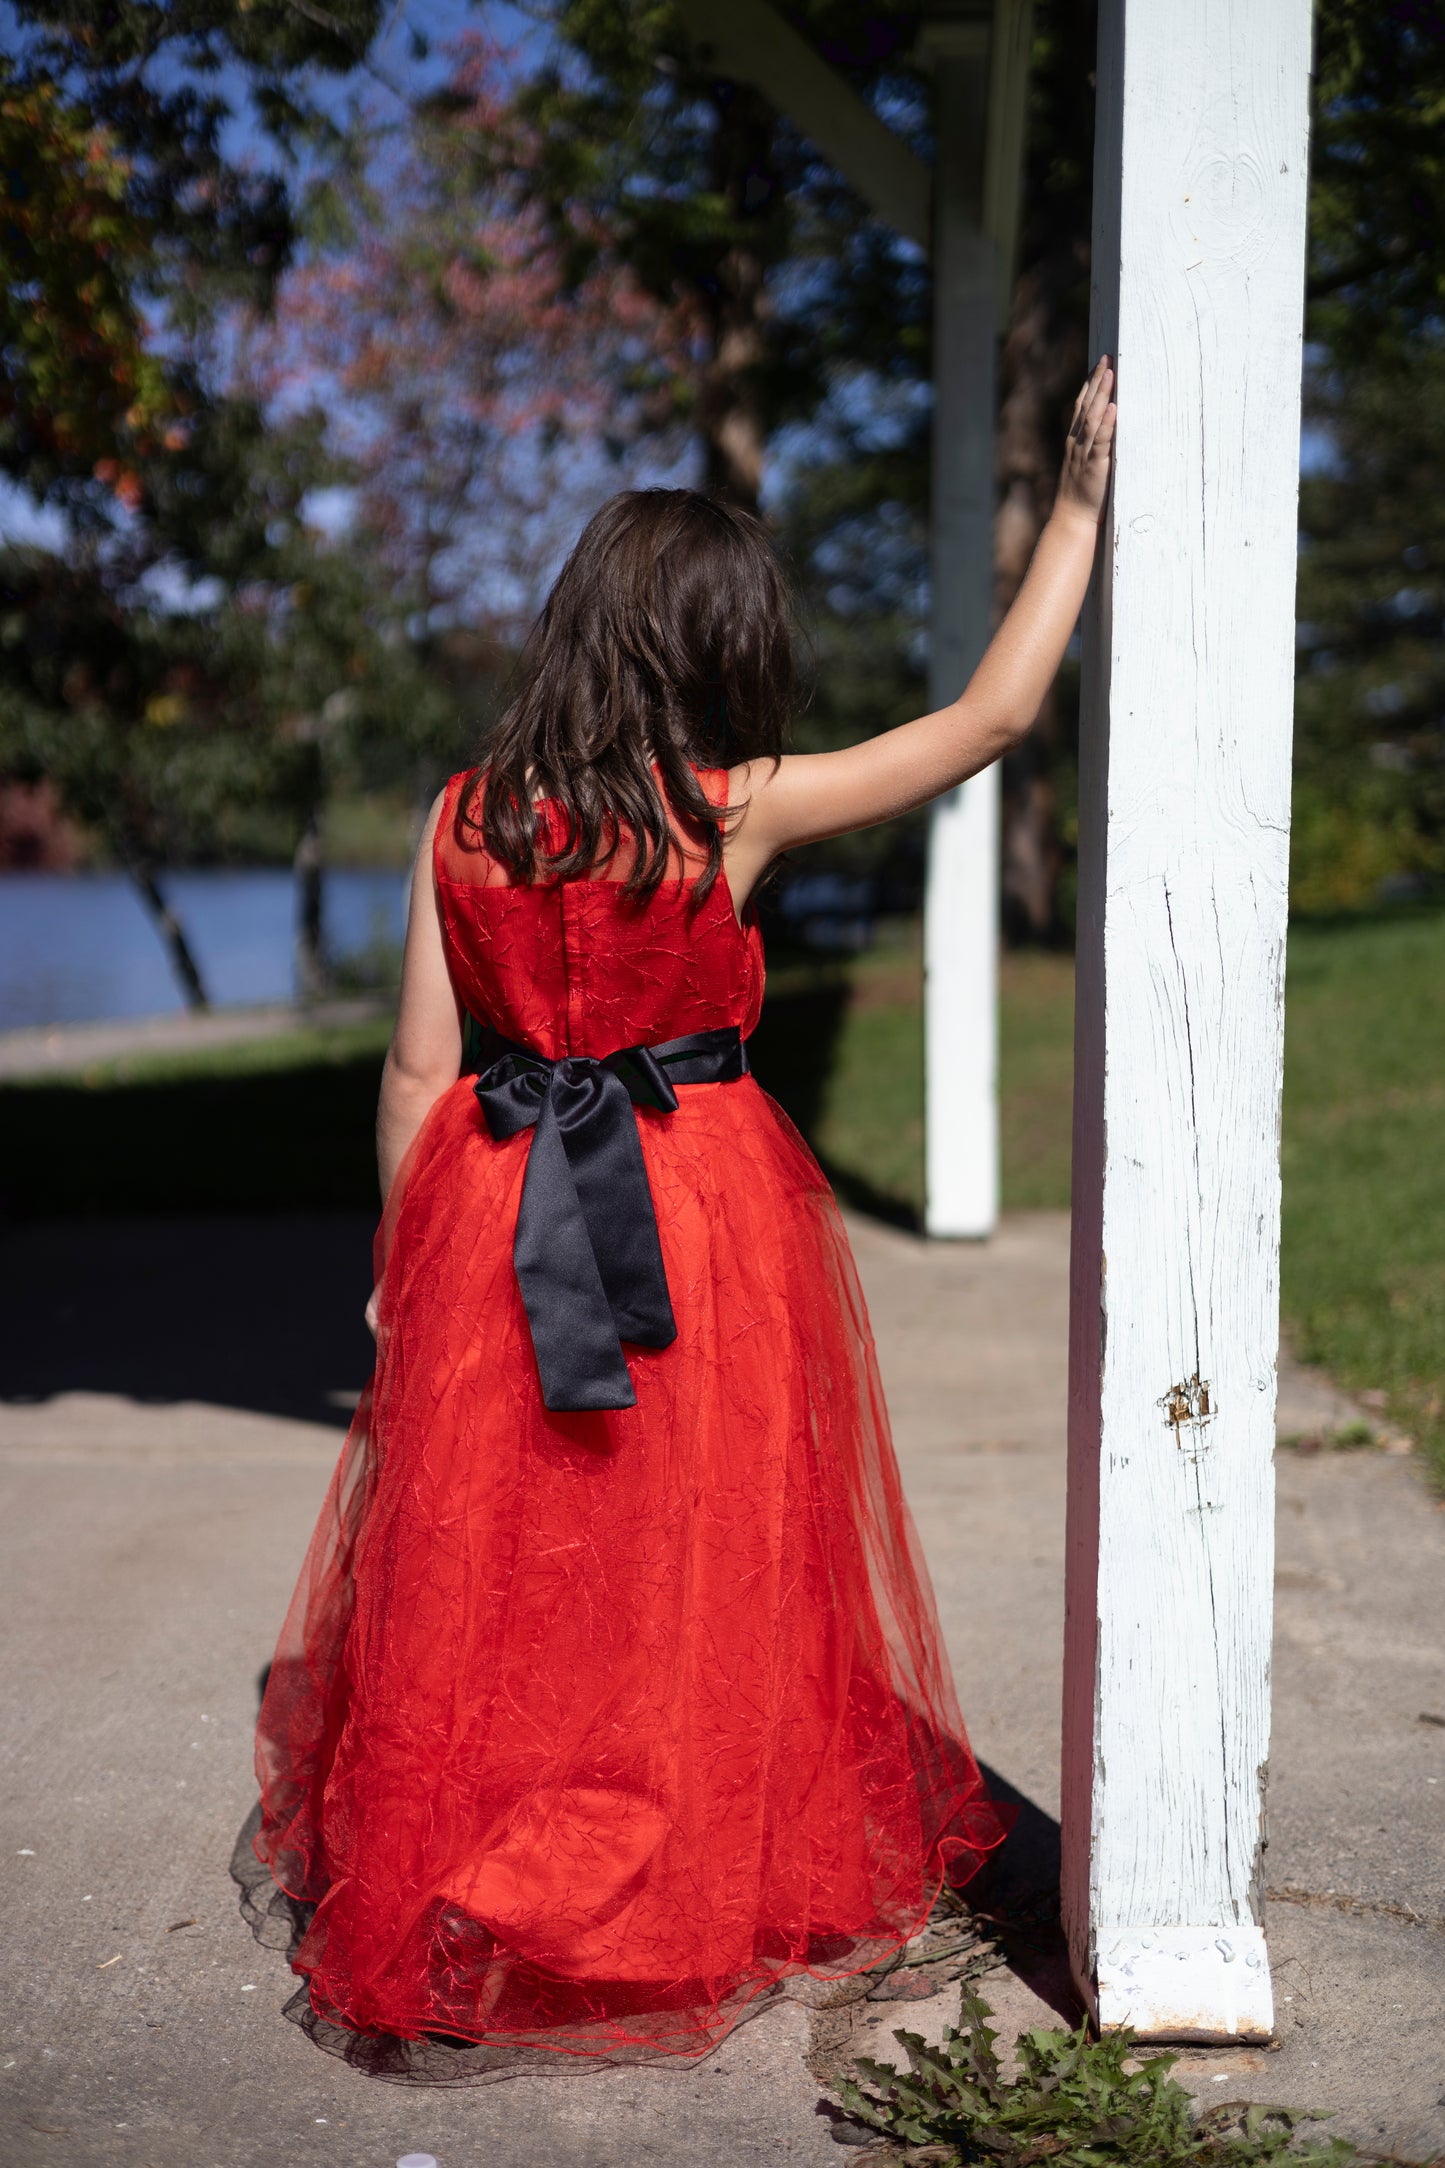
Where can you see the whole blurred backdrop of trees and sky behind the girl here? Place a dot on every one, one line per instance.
(322, 417)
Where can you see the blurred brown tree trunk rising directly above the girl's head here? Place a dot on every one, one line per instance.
(735, 300)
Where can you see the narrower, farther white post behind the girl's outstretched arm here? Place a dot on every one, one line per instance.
(961, 905)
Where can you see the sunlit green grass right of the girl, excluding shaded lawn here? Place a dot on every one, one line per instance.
(1364, 1196)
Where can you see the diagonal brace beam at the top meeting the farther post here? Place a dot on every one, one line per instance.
(753, 44)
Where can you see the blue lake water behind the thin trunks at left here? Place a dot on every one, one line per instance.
(81, 946)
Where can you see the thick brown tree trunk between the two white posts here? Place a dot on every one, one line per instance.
(1043, 363)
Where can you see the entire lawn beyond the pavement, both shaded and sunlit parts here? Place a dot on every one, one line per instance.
(285, 1124)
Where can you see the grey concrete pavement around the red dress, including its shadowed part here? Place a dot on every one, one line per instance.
(174, 1404)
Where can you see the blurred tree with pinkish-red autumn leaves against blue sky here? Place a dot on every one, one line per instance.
(480, 406)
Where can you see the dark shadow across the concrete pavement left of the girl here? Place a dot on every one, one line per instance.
(242, 1313)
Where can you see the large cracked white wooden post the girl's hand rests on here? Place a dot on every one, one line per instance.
(1199, 272)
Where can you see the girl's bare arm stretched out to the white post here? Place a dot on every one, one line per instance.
(811, 797)
